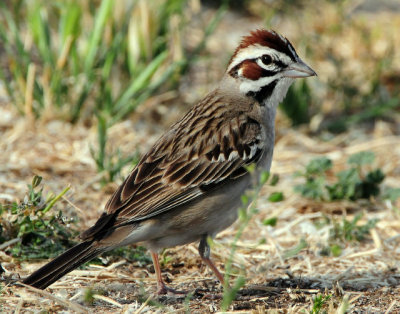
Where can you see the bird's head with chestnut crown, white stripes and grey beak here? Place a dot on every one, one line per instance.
(265, 64)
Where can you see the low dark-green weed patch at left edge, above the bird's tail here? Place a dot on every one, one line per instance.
(31, 229)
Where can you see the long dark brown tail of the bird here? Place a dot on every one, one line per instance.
(63, 264)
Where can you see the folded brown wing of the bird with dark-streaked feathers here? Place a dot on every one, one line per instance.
(186, 162)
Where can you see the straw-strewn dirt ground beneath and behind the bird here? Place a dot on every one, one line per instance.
(365, 278)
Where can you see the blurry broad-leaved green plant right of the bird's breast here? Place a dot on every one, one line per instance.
(351, 184)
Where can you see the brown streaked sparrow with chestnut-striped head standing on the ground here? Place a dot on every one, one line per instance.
(188, 186)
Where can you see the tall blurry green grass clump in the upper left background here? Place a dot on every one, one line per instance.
(75, 58)
